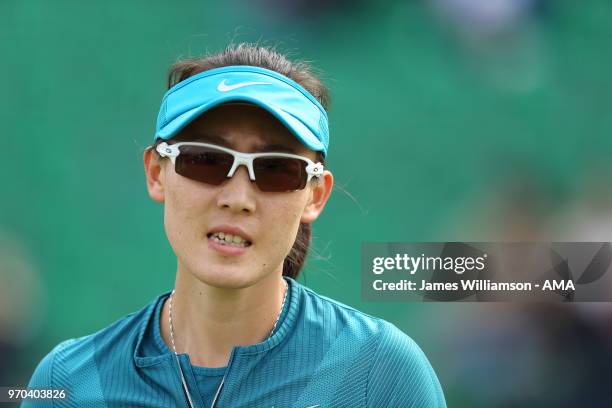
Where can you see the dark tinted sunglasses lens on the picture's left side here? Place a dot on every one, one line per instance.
(203, 164)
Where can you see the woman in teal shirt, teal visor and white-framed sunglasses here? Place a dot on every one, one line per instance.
(238, 163)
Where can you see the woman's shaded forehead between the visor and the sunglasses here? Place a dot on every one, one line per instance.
(244, 127)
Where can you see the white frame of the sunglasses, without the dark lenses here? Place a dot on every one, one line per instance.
(172, 152)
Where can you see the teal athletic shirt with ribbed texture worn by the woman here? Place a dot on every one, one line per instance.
(323, 354)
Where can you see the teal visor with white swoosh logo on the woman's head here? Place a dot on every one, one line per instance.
(289, 102)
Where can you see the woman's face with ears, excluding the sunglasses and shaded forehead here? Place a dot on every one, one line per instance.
(196, 214)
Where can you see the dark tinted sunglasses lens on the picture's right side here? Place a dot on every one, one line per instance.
(276, 174)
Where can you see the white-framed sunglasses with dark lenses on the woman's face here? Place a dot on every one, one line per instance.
(212, 164)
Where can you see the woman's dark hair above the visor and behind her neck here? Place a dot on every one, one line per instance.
(264, 57)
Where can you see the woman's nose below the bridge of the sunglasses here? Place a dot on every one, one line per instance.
(238, 193)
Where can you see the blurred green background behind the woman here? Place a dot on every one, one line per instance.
(465, 120)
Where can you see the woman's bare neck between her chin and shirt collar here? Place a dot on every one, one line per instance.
(209, 321)
